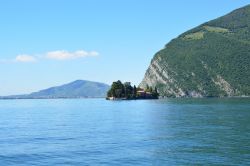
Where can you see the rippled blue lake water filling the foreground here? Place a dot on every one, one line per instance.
(142, 132)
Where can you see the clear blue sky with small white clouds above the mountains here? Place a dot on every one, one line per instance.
(45, 43)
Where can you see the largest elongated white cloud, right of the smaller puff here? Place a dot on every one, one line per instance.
(65, 55)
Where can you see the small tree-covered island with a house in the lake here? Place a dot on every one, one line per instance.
(124, 91)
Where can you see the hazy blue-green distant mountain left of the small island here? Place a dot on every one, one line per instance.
(76, 89)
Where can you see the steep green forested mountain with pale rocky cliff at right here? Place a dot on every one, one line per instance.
(211, 60)
